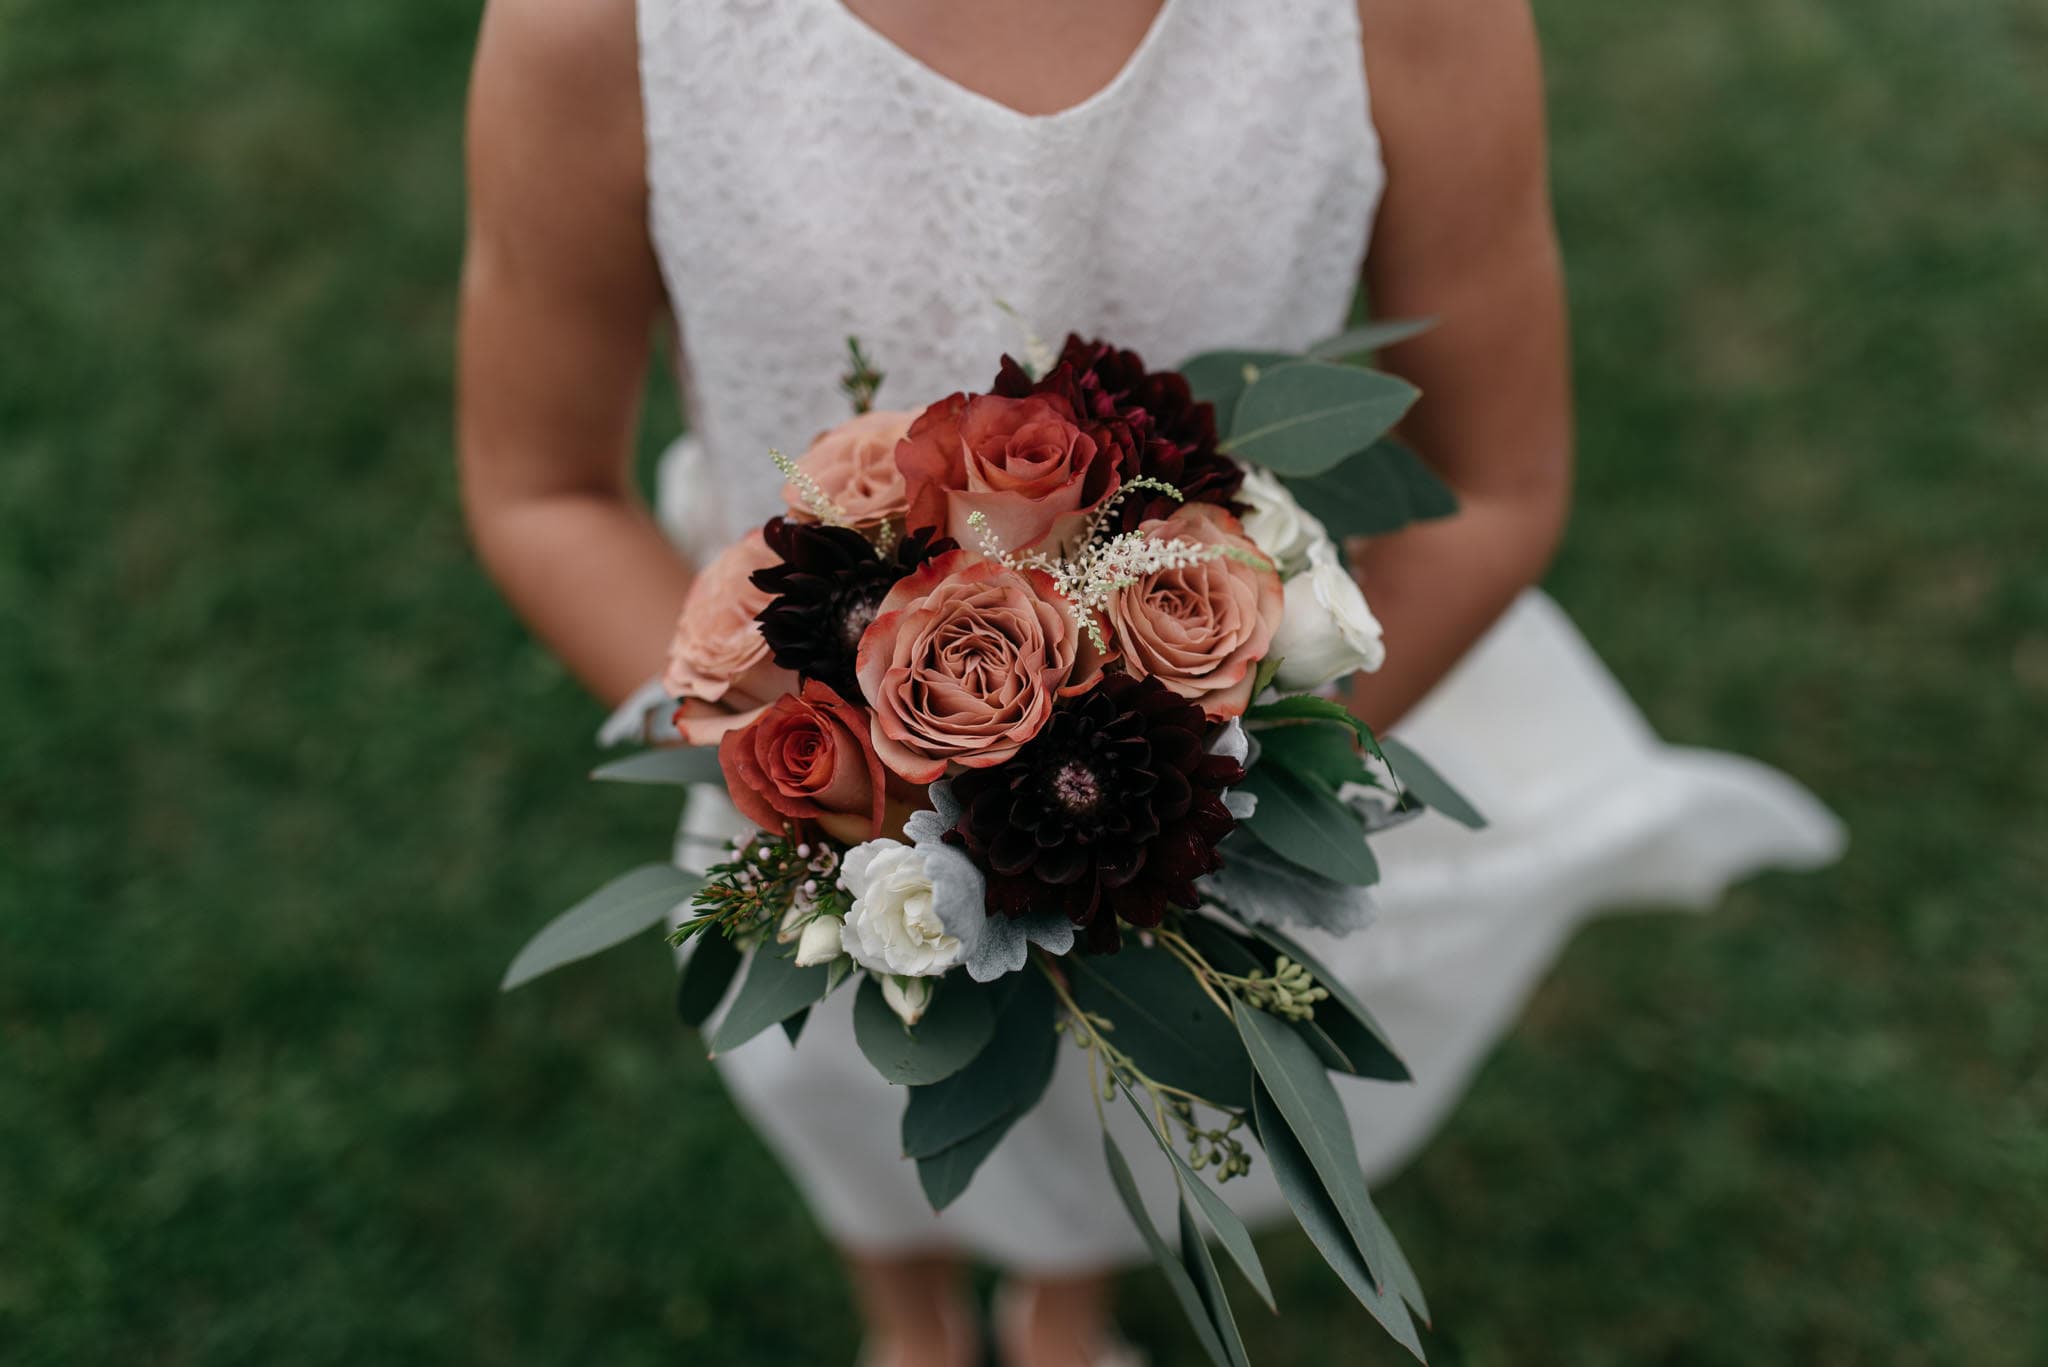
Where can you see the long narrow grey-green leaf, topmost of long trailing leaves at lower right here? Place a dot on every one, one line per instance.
(1314, 1114)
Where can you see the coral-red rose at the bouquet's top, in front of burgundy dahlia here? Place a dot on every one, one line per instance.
(1021, 462)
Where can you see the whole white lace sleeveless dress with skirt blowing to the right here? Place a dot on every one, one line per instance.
(814, 181)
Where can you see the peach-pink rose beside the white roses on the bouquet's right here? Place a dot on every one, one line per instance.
(1201, 630)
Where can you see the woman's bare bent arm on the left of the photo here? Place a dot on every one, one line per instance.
(560, 300)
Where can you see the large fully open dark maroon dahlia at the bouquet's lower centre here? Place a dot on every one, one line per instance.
(1109, 815)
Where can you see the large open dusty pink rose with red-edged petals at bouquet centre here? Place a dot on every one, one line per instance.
(964, 665)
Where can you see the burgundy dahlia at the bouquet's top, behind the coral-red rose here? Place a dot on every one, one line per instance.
(1150, 417)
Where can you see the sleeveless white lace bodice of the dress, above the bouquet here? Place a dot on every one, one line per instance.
(812, 181)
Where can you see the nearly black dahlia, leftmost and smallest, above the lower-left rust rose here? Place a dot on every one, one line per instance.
(826, 593)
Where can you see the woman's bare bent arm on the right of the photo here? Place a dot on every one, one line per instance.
(1465, 237)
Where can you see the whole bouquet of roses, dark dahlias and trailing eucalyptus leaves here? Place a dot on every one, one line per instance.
(1021, 696)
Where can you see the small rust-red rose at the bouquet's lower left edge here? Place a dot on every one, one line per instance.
(808, 759)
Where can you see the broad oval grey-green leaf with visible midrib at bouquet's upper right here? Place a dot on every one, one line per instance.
(1304, 419)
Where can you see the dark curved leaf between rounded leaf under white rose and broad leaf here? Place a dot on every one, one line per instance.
(1007, 1079)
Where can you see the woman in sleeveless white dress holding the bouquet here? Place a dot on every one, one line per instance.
(767, 177)
